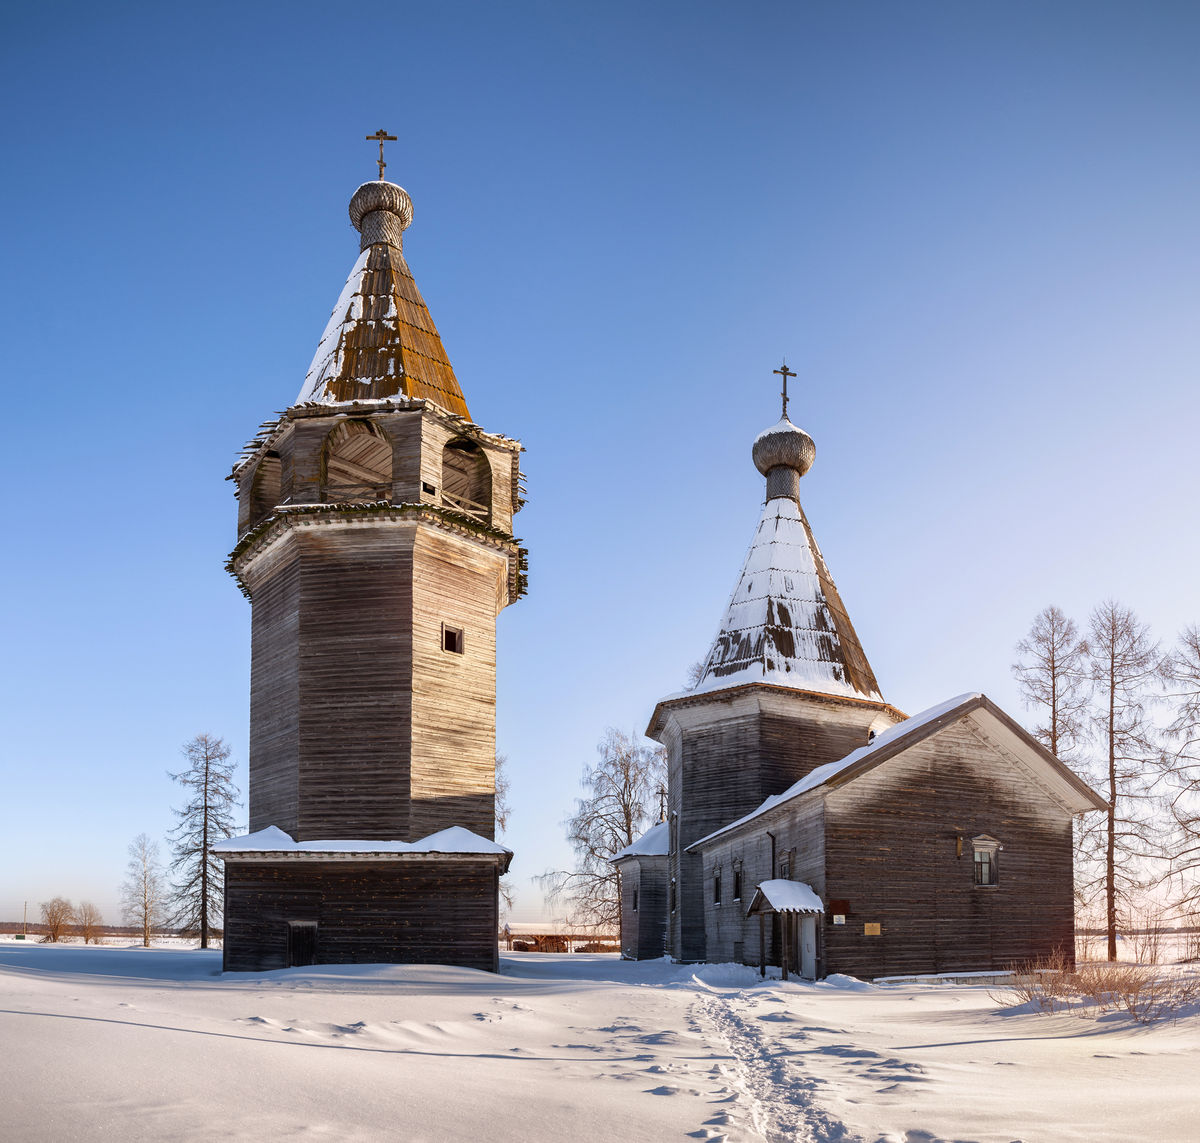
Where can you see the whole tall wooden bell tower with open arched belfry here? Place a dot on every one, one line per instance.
(376, 547)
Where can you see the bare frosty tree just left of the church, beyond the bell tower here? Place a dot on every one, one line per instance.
(623, 794)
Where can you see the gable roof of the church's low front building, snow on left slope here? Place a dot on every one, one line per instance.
(1067, 787)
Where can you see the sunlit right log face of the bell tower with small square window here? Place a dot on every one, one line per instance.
(457, 583)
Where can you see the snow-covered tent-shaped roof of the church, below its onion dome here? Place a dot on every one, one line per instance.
(785, 623)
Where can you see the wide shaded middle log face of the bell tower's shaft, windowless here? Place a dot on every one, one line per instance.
(356, 681)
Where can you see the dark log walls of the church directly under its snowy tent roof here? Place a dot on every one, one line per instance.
(728, 751)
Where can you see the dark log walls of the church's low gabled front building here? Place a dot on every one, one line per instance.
(880, 847)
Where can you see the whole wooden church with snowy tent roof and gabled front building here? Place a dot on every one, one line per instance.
(811, 824)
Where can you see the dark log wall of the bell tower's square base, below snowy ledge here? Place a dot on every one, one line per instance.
(409, 913)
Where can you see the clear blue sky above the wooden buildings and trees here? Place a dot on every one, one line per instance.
(970, 228)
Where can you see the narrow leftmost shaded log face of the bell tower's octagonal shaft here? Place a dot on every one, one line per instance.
(275, 696)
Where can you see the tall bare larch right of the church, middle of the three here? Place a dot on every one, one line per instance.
(1125, 666)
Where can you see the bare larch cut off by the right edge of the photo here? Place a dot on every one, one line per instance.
(1181, 671)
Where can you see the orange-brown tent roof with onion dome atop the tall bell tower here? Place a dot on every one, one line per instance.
(381, 342)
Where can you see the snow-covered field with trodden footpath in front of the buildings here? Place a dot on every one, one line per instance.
(133, 1044)
